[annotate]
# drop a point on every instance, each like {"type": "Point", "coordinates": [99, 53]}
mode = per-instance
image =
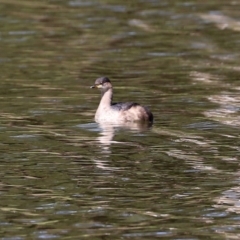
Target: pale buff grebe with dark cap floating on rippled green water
{"type": "Point", "coordinates": [118, 112]}
